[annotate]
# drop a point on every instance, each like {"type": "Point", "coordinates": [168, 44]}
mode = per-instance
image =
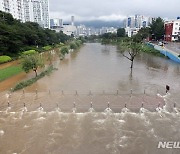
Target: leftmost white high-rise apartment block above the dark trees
{"type": "Point", "coordinates": [14, 7]}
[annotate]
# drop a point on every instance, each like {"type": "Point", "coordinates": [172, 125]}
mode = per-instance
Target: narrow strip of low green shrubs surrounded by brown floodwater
{"type": "Point", "coordinates": [29, 82]}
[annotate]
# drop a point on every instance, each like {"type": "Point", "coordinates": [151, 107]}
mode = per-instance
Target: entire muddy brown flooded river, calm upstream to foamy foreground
{"type": "Point", "coordinates": [131, 123]}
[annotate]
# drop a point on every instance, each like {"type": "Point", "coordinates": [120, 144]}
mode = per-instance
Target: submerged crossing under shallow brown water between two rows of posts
{"type": "Point", "coordinates": [82, 102]}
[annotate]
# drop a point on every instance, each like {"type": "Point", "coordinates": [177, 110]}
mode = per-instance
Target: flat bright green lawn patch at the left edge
{"type": "Point", "coordinates": [9, 72]}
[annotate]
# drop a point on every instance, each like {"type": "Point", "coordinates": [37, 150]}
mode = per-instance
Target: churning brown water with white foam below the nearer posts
{"type": "Point", "coordinates": [87, 133]}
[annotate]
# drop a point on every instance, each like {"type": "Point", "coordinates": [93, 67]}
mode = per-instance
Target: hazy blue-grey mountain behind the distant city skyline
{"type": "Point", "coordinates": [99, 23]}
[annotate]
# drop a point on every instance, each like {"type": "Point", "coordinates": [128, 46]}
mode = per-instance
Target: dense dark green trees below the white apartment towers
{"type": "Point", "coordinates": [16, 36]}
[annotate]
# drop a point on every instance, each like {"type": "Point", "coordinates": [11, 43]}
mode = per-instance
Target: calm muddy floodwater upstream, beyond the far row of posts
{"type": "Point", "coordinates": [98, 67]}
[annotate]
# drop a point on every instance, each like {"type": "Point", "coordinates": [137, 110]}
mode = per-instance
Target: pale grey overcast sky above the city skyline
{"type": "Point", "coordinates": [85, 10]}
